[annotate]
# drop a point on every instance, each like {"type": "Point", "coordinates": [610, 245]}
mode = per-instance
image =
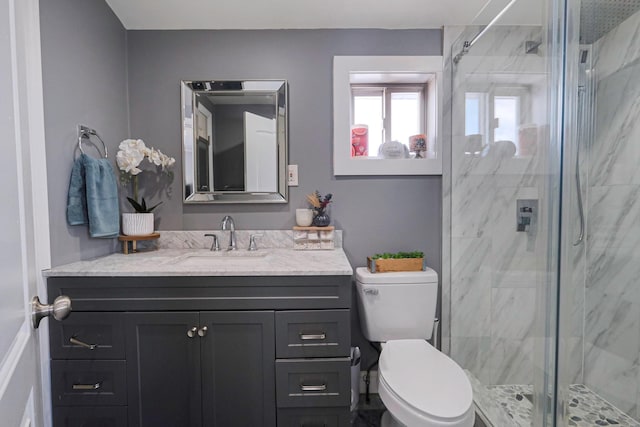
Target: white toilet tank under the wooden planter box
{"type": "Point", "coordinates": [398, 305]}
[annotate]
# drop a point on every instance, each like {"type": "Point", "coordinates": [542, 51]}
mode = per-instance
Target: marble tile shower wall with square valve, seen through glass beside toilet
{"type": "Point", "coordinates": [494, 269]}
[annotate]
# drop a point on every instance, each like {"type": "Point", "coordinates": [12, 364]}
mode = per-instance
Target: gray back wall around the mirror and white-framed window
{"type": "Point", "coordinates": [376, 213]}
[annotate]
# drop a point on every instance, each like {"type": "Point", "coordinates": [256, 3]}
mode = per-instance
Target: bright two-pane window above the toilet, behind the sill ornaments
{"type": "Point", "coordinates": [390, 112]}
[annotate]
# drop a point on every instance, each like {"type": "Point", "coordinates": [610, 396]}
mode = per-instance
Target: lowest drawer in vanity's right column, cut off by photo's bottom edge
{"type": "Point", "coordinates": [314, 417]}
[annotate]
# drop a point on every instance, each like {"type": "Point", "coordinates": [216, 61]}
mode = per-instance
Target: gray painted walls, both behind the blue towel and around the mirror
{"type": "Point", "coordinates": [87, 55]}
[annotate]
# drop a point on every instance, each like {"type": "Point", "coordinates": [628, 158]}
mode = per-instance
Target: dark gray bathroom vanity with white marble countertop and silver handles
{"type": "Point", "coordinates": [169, 338]}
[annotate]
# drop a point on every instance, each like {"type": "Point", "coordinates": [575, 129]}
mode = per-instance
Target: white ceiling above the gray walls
{"type": "Point", "coordinates": [293, 14]}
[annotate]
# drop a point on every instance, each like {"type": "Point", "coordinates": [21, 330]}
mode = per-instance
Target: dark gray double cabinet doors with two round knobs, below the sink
{"type": "Point", "coordinates": [200, 369]}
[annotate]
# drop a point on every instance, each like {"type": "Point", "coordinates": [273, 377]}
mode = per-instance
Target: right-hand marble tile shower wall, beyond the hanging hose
{"type": "Point", "coordinates": [612, 296]}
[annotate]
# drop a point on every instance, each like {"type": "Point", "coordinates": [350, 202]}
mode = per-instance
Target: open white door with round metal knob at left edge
{"type": "Point", "coordinates": [24, 237]}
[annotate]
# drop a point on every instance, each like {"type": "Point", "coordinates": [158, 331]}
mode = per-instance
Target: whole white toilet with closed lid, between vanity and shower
{"type": "Point", "coordinates": [419, 385]}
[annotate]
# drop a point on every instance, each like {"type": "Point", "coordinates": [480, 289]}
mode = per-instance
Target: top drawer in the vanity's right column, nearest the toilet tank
{"type": "Point", "coordinates": [313, 333]}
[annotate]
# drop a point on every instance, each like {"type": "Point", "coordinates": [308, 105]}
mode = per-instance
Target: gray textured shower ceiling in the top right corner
{"type": "Point", "coordinates": [598, 17]}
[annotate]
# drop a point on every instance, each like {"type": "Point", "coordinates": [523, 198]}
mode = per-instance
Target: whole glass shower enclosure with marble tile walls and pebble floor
{"type": "Point", "coordinates": [541, 247]}
